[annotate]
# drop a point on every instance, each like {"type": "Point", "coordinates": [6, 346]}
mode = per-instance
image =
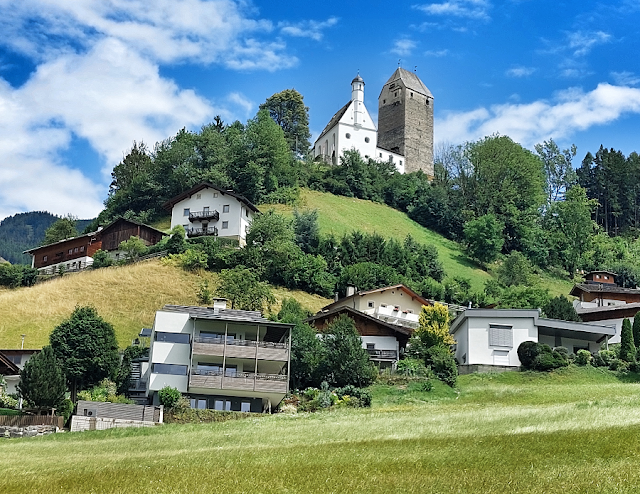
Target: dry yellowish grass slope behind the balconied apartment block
{"type": "Point", "coordinates": [126, 296]}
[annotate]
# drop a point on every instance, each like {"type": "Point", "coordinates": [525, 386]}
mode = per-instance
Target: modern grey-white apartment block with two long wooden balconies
{"type": "Point", "coordinates": [220, 358]}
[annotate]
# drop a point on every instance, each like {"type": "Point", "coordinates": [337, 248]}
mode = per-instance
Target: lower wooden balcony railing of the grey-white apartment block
{"type": "Point", "coordinates": [241, 381]}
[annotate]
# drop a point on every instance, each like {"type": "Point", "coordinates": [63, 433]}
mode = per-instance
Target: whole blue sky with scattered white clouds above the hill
{"type": "Point", "coordinates": [80, 80]}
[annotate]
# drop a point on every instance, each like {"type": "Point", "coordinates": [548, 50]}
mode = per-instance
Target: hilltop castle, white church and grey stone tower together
{"type": "Point", "coordinates": [405, 125]}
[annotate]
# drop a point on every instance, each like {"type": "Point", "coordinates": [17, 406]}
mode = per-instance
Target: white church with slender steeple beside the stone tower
{"type": "Point", "coordinates": [353, 128]}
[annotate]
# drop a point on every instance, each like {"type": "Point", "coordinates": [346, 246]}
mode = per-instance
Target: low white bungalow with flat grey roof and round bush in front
{"type": "Point", "coordinates": [488, 339]}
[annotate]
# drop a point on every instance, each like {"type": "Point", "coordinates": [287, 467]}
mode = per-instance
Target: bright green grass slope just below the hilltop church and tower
{"type": "Point", "coordinates": [339, 215]}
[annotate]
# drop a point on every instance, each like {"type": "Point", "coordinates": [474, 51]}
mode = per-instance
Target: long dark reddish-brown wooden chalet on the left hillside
{"type": "Point", "coordinates": [76, 253]}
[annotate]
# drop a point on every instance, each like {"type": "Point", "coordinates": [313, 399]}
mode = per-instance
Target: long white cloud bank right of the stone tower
{"type": "Point", "coordinates": [571, 111]}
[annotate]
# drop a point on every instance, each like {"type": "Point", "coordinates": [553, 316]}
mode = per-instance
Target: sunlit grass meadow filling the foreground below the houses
{"type": "Point", "coordinates": [572, 431]}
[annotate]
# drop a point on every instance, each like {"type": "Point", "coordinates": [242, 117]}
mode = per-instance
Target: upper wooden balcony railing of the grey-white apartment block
{"type": "Point", "coordinates": [262, 350]}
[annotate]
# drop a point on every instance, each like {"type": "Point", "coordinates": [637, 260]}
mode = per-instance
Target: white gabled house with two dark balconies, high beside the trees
{"type": "Point", "coordinates": [209, 210]}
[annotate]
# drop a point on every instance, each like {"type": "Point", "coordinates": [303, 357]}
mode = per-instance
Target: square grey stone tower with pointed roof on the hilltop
{"type": "Point", "coordinates": [405, 120]}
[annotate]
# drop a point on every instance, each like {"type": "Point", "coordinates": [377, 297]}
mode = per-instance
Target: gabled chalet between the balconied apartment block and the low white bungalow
{"type": "Point", "coordinates": [385, 319]}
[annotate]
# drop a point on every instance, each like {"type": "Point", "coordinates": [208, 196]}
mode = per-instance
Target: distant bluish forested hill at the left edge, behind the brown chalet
{"type": "Point", "coordinates": [23, 231]}
